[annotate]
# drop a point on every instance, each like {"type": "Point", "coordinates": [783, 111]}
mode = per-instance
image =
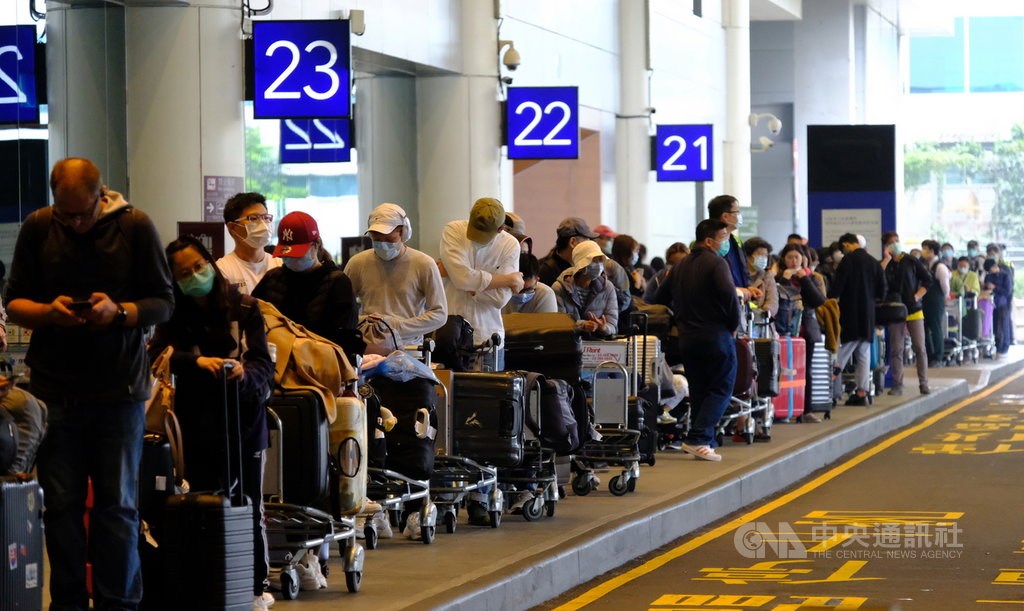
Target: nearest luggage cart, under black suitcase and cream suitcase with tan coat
{"type": "Point", "coordinates": [293, 531]}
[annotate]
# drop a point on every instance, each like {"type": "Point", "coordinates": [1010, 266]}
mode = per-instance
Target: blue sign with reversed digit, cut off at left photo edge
{"type": "Point", "coordinates": [18, 75]}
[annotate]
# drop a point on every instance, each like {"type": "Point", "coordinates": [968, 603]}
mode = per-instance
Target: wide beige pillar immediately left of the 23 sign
{"type": "Point", "coordinates": [185, 90]}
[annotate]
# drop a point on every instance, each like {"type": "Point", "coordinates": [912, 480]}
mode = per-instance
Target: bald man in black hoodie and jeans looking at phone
{"type": "Point", "coordinates": [89, 277]}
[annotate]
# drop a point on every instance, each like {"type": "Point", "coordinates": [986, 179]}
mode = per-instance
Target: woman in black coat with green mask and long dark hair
{"type": "Point", "coordinates": [217, 330]}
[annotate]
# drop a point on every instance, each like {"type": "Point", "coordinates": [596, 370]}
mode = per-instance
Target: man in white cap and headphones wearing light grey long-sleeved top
{"type": "Point", "coordinates": [397, 283]}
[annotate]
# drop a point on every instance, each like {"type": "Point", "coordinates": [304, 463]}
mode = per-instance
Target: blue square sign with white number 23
{"type": "Point", "coordinates": [302, 69]}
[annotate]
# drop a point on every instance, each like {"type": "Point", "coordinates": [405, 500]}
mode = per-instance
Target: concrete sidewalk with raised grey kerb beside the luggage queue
{"type": "Point", "coordinates": [523, 564]}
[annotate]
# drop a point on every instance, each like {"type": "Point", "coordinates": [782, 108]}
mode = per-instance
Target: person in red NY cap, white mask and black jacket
{"type": "Point", "coordinates": [309, 289]}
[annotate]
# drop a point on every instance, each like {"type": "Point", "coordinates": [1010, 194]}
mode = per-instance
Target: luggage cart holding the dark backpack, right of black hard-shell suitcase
{"type": "Point", "coordinates": [536, 475]}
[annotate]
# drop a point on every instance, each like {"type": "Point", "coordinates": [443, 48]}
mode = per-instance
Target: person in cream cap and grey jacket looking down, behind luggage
{"type": "Point", "coordinates": [585, 294]}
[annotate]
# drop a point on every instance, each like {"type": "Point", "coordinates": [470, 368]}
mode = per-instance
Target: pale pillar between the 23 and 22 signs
{"type": "Point", "coordinates": [459, 148]}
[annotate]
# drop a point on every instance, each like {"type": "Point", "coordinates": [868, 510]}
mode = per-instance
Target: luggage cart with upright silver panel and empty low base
{"type": "Point", "coordinates": [618, 445]}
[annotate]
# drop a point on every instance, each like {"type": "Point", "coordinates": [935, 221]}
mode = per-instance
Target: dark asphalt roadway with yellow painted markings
{"type": "Point", "coordinates": [930, 517]}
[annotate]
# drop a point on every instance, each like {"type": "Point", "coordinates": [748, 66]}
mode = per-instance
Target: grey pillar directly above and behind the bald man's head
{"type": "Point", "coordinates": [86, 58]}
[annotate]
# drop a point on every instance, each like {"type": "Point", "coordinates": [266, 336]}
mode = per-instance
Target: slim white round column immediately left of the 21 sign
{"type": "Point", "coordinates": [632, 132]}
